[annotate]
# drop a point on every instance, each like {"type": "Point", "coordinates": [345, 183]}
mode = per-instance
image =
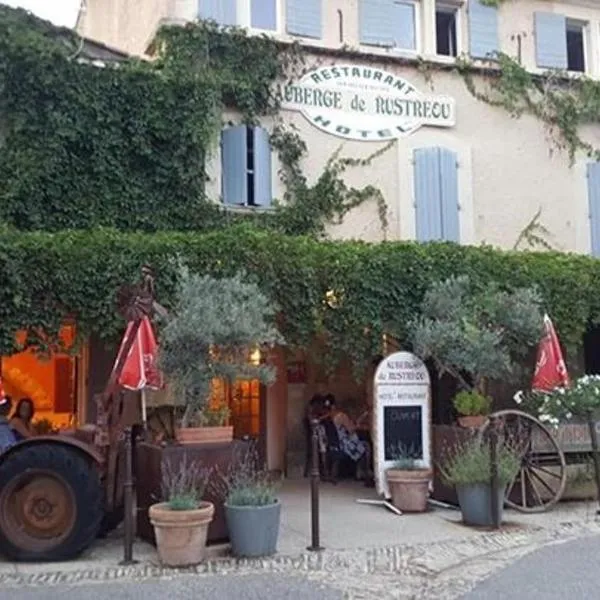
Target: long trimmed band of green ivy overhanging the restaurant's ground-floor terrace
{"type": "Point", "coordinates": [48, 278]}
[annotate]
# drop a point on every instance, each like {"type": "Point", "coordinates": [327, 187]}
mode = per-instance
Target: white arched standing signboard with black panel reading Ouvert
{"type": "Point", "coordinates": [402, 414]}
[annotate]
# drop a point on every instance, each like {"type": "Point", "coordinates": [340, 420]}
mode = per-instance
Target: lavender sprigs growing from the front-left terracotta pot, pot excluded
{"type": "Point", "coordinates": [183, 484]}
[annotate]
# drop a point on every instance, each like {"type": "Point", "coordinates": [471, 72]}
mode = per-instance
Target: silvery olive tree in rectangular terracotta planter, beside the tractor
{"type": "Point", "coordinates": [214, 327]}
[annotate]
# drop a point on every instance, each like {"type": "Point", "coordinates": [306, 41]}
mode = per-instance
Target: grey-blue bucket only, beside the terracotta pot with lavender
{"type": "Point", "coordinates": [253, 530]}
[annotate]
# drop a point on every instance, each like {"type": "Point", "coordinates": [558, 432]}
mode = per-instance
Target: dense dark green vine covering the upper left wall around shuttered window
{"type": "Point", "coordinates": [126, 145]}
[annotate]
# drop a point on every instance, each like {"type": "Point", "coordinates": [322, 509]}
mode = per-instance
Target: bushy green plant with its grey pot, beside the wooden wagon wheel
{"type": "Point", "coordinates": [467, 467]}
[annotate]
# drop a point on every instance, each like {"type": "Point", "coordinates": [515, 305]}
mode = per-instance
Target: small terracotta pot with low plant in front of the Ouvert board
{"type": "Point", "coordinates": [408, 483]}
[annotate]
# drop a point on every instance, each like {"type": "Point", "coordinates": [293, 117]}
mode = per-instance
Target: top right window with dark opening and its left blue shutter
{"type": "Point", "coordinates": [559, 42]}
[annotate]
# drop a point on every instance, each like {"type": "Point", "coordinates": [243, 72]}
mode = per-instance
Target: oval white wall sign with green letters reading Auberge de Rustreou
{"type": "Point", "coordinates": [363, 103]}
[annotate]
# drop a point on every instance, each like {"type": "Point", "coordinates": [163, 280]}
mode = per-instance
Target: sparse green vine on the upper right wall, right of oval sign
{"type": "Point", "coordinates": [564, 104]}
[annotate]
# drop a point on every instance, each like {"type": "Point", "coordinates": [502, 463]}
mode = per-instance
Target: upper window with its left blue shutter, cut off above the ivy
{"type": "Point", "coordinates": [257, 14]}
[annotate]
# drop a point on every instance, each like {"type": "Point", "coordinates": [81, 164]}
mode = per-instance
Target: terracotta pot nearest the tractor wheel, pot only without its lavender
{"type": "Point", "coordinates": [181, 534]}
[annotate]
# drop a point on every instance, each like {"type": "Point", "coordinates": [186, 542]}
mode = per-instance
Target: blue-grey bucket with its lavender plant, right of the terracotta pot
{"type": "Point", "coordinates": [252, 508]}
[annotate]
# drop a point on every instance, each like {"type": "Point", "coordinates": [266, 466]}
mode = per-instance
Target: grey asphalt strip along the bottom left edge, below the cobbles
{"type": "Point", "coordinates": [235, 587]}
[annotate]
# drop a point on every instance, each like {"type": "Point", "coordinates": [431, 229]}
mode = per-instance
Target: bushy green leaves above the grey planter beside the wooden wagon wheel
{"type": "Point", "coordinates": [469, 463]}
